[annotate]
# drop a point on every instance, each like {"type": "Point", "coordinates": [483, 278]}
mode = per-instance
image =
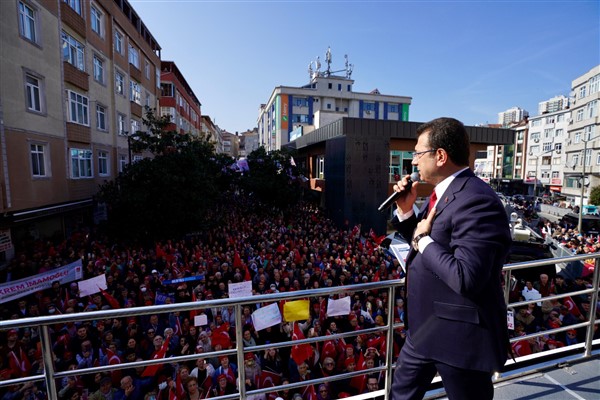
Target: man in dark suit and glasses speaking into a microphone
{"type": "Point", "coordinates": [456, 313]}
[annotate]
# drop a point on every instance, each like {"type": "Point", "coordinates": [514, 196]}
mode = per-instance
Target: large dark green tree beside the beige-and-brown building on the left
{"type": "Point", "coordinates": [166, 196]}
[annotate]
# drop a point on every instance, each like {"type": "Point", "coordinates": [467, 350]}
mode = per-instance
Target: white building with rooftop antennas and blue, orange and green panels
{"type": "Point", "coordinates": [292, 112]}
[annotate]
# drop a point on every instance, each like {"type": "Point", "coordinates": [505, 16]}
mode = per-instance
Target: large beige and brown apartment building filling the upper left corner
{"type": "Point", "coordinates": [75, 77]}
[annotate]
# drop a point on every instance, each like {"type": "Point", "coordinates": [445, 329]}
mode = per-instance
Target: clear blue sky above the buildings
{"type": "Point", "coordinates": [464, 59]}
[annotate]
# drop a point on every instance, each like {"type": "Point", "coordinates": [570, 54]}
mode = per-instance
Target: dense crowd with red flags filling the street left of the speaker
{"type": "Point", "coordinates": [279, 252]}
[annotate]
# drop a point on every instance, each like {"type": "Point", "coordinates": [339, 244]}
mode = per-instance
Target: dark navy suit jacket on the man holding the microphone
{"type": "Point", "coordinates": [456, 311]}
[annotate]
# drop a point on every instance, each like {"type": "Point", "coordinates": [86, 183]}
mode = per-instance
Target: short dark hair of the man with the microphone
{"type": "Point", "coordinates": [451, 135]}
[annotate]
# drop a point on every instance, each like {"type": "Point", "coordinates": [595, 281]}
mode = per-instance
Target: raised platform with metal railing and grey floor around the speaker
{"type": "Point", "coordinates": [565, 372]}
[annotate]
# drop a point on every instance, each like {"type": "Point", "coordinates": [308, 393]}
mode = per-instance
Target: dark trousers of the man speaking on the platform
{"type": "Point", "coordinates": [414, 373]}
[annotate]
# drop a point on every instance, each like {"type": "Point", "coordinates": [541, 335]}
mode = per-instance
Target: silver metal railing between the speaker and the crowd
{"type": "Point", "coordinates": [51, 375]}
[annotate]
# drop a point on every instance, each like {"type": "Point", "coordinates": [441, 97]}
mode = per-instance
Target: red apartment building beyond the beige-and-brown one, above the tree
{"type": "Point", "coordinates": [177, 99]}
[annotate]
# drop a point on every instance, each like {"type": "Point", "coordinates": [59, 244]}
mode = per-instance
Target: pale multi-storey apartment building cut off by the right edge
{"type": "Point", "coordinates": [582, 144]}
